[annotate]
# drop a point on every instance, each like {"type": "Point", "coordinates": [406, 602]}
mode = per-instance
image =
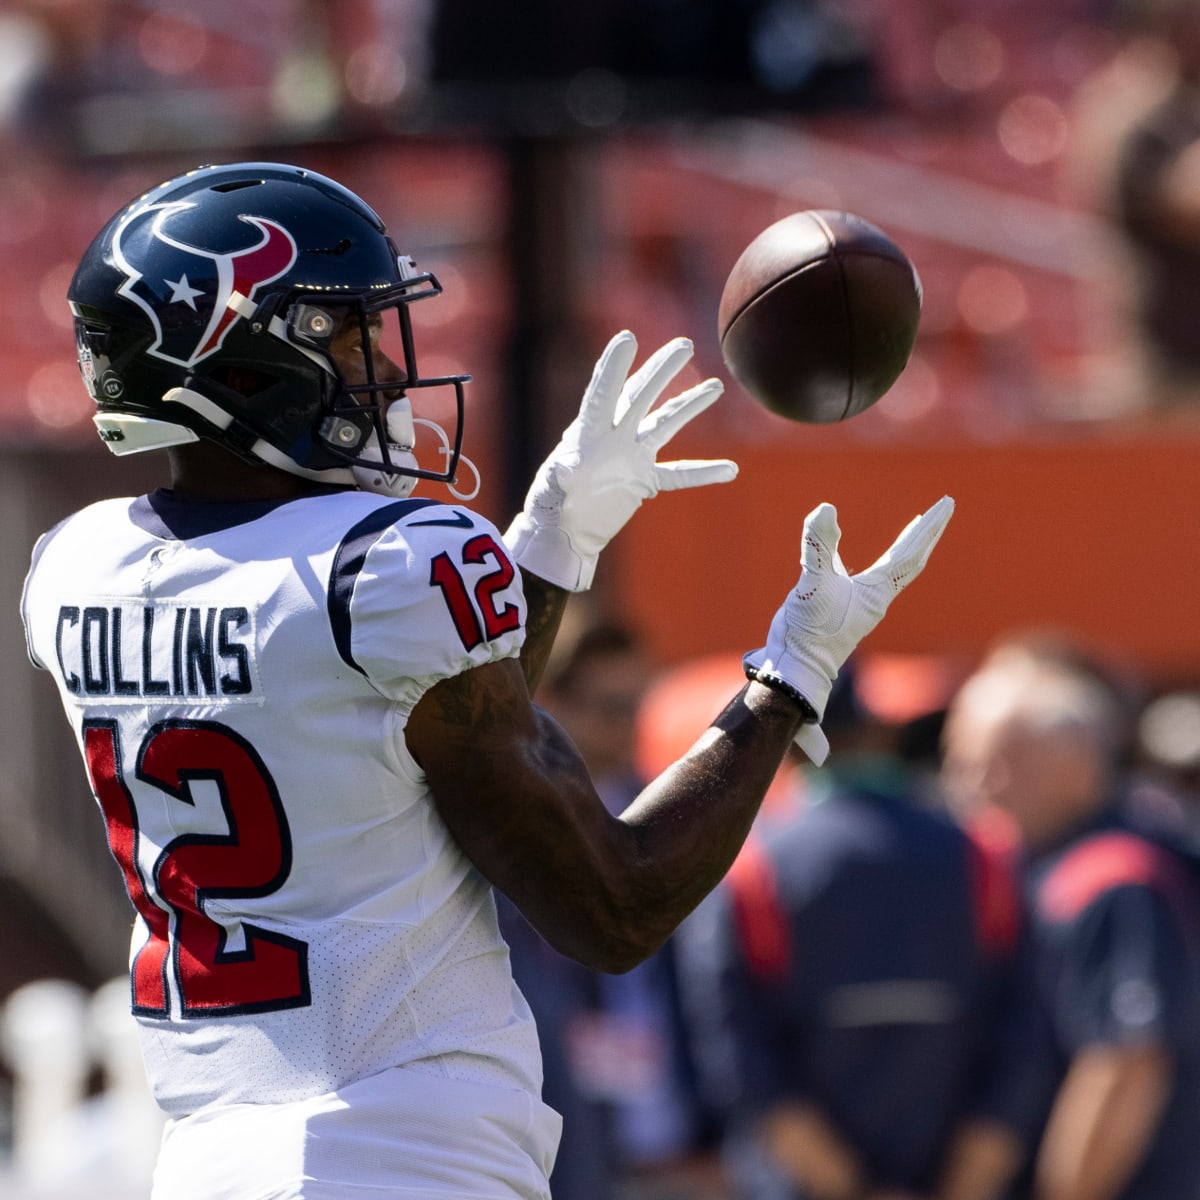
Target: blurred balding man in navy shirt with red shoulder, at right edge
{"type": "Point", "coordinates": [1037, 739]}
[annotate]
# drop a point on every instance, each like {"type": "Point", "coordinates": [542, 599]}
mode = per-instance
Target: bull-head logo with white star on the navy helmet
{"type": "Point", "coordinates": [227, 277]}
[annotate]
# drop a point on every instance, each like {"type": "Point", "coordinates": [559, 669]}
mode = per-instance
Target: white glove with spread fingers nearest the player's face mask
{"type": "Point", "coordinates": [605, 465]}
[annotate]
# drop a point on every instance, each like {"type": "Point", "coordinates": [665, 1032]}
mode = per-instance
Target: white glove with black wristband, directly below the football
{"type": "Point", "coordinates": [830, 613]}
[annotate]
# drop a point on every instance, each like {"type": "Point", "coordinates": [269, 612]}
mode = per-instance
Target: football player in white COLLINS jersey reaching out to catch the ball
{"type": "Point", "coordinates": [303, 700]}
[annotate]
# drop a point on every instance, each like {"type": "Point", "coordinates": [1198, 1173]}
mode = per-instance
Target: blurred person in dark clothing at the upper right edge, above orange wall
{"type": "Point", "coordinates": [1135, 159]}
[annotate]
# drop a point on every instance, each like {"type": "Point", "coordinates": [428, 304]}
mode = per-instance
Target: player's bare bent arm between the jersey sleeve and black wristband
{"type": "Point", "coordinates": [517, 796]}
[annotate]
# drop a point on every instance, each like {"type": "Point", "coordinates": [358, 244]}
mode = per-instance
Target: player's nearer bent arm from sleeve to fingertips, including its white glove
{"type": "Point", "coordinates": [609, 891]}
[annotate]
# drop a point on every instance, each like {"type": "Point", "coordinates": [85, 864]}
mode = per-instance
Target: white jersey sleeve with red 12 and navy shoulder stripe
{"type": "Point", "coordinates": [423, 597]}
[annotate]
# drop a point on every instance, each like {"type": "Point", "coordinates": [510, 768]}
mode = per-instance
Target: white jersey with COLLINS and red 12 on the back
{"type": "Point", "coordinates": [239, 679]}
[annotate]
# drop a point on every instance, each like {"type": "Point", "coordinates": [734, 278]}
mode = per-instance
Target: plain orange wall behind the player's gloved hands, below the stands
{"type": "Point", "coordinates": [1096, 531]}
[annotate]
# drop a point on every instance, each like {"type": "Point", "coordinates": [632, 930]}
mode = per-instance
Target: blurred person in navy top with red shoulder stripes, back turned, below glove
{"type": "Point", "coordinates": [849, 976]}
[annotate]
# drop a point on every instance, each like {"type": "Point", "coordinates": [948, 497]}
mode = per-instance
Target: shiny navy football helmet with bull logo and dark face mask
{"type": "Point", "coordinates": [206, 309]}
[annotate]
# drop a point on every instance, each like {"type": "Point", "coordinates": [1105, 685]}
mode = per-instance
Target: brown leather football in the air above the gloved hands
{"type": "Point", "coordinates": [819, 316]}
